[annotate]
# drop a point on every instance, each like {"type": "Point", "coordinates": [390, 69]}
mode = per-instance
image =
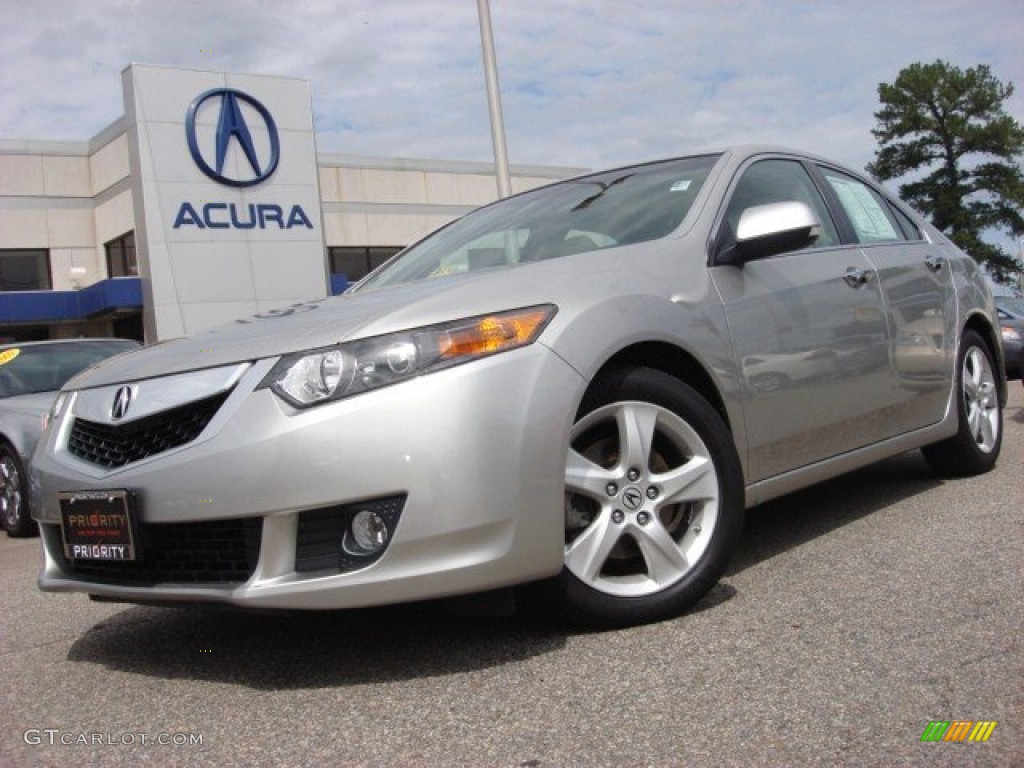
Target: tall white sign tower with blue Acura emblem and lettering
{"type": "Point", "coordinates": [228, 220]}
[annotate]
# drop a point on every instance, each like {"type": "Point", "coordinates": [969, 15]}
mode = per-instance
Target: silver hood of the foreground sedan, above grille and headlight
{"type": "Point", "coordinates": [324, 323]}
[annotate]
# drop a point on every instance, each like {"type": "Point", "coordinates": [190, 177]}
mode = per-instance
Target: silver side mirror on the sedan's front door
{"type": "Point", "coordinates": [771, 230]}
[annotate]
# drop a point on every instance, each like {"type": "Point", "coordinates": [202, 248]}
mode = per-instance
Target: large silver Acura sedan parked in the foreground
{"type": "Point", "coordinates": [582, 388]}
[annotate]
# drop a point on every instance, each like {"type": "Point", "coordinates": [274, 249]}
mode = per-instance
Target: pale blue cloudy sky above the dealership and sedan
{"type": "Point", "coordinates": [584, 83]}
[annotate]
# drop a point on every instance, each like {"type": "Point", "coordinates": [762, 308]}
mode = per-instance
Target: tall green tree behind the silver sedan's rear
{"type": "Point", "coordinates": [948, 129]}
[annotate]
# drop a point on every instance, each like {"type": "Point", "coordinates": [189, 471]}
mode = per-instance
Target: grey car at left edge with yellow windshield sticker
{"type": "Point", "coordinates": [31, 376]}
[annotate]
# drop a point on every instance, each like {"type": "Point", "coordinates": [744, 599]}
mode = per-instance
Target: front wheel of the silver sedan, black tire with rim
{"type": "Point", "coordinates": [621, 569]}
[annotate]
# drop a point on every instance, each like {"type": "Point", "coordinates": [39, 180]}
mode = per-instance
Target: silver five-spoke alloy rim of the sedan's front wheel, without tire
{"type": "Point", "coordinates": [642, 499]}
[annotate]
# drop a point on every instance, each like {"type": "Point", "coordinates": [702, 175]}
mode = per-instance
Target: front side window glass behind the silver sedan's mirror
{"type": "Point", "coordinates": [778, 182]}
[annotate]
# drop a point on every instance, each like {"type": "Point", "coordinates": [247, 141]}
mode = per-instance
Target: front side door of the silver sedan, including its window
{"type": "Point", "coordinates": [809, 332]}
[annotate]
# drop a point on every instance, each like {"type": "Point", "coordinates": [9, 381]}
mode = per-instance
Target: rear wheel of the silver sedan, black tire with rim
{"type": "Point", "coordinates": [975, 448]}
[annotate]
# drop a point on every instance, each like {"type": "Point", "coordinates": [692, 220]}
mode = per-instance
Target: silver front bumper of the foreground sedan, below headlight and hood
{"type": "Point", "coordinates": [474, 457]}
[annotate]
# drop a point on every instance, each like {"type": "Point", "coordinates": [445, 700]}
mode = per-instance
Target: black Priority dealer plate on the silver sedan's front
{"type": "Point", "coordinates": [98, 526]}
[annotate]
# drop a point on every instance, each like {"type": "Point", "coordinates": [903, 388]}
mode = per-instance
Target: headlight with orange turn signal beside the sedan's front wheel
{"type": "Point", "coordinates": [322, 375]}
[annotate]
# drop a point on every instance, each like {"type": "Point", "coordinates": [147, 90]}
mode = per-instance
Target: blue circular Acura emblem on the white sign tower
{"type": "Point", "coordinates": [232, 127]}
